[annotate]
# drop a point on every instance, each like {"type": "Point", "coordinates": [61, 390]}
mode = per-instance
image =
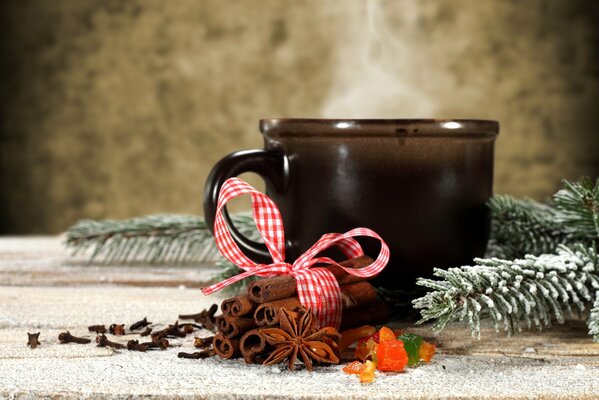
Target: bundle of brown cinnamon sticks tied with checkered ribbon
{"type": "Point", "coordinates": [243, 317]}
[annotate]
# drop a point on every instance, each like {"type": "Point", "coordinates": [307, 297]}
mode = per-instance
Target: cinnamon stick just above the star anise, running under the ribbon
{"type": "Point", "coordinates": [353, 295]}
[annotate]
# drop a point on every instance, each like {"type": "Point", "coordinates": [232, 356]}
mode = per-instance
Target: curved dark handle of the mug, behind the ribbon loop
{"type": "Point", "coordinates": [270, 165]}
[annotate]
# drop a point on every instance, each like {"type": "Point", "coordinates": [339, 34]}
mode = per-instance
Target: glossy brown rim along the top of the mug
{"type": "Point", "coordinates": [479, 128]}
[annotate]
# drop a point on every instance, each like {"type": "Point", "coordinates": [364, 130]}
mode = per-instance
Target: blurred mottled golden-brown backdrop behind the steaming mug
{"type": "Point", "coordinates": [115, 109]}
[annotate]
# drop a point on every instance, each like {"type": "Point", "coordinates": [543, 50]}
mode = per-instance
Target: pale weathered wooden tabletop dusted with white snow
{"type": "Point", "coordinates": [43, 289]}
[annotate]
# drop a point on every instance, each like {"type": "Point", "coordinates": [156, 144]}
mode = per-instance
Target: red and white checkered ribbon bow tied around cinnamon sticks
{"type": "Point", "coordinates": [317, 288]}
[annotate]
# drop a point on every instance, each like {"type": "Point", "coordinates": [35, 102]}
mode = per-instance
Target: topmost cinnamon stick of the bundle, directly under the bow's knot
{"type": "Point", "coordinates": [281, 287]}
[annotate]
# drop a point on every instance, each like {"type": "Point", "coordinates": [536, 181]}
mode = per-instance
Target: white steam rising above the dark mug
{"type": "Point", "coordinates": [377, 74]}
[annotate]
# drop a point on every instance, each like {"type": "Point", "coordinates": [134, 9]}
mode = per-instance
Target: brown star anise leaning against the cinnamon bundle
{"type": "Point", "coordinates": [298, 335]}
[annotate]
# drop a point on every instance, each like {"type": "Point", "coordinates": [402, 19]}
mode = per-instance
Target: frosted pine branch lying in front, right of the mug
{"type": "Point", "coordinates": [534, 290]}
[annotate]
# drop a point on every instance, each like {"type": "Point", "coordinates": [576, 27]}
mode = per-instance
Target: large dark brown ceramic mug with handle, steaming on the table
{"type": "Point", "coordinates": [420, 184]}
